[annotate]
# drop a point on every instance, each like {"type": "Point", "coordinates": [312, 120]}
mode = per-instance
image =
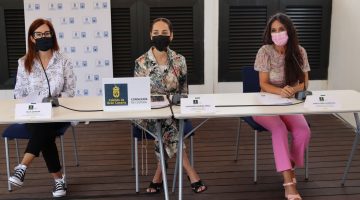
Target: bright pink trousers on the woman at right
{"type": "Point", "coordinates": [279, 126]}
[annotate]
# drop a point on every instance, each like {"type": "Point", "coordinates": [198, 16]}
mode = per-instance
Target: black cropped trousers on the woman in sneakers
{"type": "Point", "coordinates": [42, 140]}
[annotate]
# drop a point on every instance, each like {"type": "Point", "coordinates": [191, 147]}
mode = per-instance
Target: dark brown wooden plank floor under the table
{"type": "Point", "coordinates": [105, 164]}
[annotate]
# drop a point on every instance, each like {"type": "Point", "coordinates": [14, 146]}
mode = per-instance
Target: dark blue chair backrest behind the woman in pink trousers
{"type": "Point", "coordinates": [250, 79]}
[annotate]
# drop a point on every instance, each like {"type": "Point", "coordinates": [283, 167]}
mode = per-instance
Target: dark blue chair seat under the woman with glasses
{"type": "Point", "coordinates": [19, 131]}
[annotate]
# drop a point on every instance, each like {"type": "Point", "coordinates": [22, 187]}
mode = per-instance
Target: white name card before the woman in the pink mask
{"type": "Point", "coordinates": [316, 102]}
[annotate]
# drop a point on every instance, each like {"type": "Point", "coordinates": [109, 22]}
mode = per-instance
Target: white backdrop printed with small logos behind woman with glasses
{"type": "Point", "coordinates": [83, 30]}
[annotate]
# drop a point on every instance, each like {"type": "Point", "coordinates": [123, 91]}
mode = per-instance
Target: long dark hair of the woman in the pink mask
{"type": "Point", "coordinates": [293, 57]}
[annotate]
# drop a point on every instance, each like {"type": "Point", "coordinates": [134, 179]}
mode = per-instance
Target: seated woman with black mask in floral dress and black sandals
{"type": "Point", "coordinates": [167, 72]}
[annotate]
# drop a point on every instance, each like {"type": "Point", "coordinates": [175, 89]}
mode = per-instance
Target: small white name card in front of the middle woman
{"type": "Point", "coordinates": [197, 104]}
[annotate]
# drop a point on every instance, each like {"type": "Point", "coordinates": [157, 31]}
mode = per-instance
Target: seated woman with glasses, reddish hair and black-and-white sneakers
{"type": "Point", "coordinates": [43, 58]}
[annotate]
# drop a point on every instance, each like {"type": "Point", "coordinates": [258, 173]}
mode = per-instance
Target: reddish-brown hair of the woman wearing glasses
{"type": "Point", "coordinates": [31, 53]}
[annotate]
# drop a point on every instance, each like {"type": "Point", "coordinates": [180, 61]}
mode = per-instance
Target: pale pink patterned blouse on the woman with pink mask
{"type": "Point", "coordinates": [269, 60]}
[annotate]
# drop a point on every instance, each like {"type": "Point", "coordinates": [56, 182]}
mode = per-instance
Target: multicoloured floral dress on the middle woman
{"type": "Point", "coordinates": [164, 79]}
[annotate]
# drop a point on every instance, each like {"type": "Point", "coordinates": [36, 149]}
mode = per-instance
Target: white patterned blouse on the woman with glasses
{"type": "Point", "coordinates": [59, 72]}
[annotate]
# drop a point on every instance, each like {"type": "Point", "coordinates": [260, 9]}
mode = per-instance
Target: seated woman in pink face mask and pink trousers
{"type": "Point", "coordinates": [283, 69]}
